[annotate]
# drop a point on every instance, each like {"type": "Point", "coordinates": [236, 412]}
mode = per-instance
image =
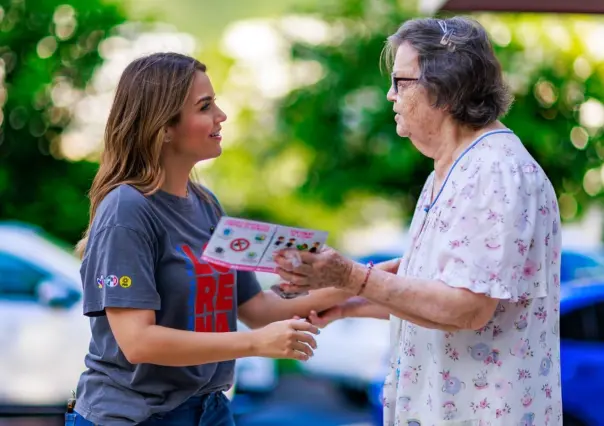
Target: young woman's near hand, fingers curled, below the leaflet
{"type": "Point", "coordinates": [286, 339]}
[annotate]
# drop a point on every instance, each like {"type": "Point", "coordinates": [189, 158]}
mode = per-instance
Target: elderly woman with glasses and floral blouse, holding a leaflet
{"type": "Point", "coordinates": [474, 302]}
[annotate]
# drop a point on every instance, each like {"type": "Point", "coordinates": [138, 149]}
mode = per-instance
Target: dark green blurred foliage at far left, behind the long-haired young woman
{"type": "Point", "coordinates": [48, 50]}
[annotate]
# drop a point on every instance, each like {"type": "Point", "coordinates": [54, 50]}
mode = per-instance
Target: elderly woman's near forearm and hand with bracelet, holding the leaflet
{"type": "Point", "coordinates": [428, 303]}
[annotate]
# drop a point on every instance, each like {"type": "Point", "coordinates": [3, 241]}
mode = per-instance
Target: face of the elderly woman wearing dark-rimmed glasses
{"type": "Point", "coordinates": [415, 117]}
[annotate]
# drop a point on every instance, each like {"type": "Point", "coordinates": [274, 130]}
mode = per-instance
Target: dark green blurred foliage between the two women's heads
{"type": "Point", "coordinates": [345, 118]}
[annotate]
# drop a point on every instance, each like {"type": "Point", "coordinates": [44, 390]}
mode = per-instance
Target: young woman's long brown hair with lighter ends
{"type": "Point", "coordinates": [149, 97]}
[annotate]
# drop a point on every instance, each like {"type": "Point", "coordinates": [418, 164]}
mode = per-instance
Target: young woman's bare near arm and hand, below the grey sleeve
{"type": "Point", "coordinates": [142, 341]}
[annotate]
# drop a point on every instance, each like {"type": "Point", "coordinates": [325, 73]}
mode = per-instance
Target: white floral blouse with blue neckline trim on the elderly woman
{"type": "Point", "coordinates": [494, 228]}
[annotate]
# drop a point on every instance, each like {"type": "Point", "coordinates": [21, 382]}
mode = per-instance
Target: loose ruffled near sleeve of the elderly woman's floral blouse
{"type": "Point", "coordinates": [498, 235]}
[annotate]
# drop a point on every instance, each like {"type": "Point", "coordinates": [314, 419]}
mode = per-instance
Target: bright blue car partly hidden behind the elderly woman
{"type": "Point", "coordinates": [582, 355]}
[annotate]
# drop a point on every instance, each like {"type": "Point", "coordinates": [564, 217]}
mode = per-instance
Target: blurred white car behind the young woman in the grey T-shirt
{"type": "Point", "coordinates": [44, 335]}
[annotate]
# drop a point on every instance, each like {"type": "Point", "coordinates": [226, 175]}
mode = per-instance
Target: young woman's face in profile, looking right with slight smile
{"type": "Point", "coordinates": [197, 134]}
